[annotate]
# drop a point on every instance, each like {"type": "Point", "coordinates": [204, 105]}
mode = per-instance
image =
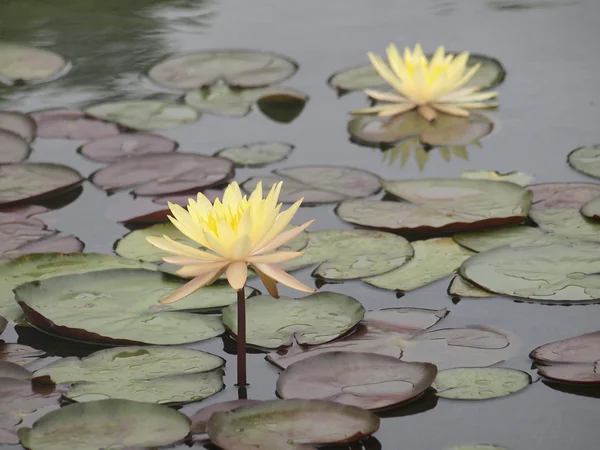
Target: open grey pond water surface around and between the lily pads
{"type": "Point", "coordinates": [549, 105]}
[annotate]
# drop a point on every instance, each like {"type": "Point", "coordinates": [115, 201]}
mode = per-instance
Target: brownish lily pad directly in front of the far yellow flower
{"type": "Point", "coordinates": [446, 130]}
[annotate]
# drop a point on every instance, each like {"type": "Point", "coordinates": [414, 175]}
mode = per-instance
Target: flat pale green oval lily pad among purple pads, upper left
{"type": "Point", "coordinates": [145, 115]}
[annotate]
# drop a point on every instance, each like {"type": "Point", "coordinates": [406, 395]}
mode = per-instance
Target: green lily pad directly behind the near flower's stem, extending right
{"type": "Point", "coordinates": [311, 320]}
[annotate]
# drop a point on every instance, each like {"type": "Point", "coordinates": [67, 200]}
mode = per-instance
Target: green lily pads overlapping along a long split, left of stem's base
{"type": "Point", "coordinates": [164, 375]}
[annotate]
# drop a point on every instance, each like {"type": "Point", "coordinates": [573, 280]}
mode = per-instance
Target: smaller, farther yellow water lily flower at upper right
{"type": "Point", "coordinates": [427, 85]}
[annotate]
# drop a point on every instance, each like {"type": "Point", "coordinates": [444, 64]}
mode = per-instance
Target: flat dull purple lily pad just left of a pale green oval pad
{"type": "Point", "coordinates": [69, 124]}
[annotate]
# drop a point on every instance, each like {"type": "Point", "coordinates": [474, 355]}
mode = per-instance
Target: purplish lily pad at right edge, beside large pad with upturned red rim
{"type": "Point", "coordinates": [562, 195]}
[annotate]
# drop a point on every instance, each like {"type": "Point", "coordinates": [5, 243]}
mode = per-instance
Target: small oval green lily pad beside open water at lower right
{"type": "Point", "coordinates": [479, 383]}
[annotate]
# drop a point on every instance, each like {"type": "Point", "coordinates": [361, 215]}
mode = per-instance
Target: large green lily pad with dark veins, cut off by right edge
{"type": "Point", "coordinates": [557, 272]}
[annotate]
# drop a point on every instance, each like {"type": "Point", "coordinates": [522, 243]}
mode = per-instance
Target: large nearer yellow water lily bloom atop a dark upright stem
{"type": "Point", "coordinates": [237, 232]}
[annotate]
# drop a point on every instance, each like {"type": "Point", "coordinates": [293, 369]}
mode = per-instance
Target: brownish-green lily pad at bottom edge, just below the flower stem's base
{"type": "Point", "coordinates": [293, 424]}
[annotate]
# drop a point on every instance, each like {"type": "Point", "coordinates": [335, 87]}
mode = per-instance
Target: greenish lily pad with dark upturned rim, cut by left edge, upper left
{"type": "Point", "coordinates": [31, 181]}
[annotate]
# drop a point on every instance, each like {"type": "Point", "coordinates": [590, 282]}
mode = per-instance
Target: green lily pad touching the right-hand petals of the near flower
{"type": "Point", "coordinates": [351, 254]}
